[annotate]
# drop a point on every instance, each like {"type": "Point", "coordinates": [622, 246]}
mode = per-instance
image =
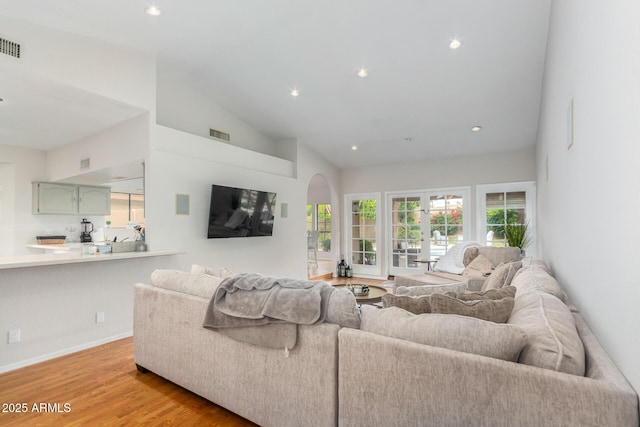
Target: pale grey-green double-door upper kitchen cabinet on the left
{"type": "Point", "coordinates": [70, 199]}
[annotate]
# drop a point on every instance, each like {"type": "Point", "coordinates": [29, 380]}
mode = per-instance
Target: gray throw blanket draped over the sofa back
{"type": "Point", "coordinates": [252, 300]}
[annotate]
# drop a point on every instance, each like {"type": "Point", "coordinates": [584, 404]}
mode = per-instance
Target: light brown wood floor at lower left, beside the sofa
{"type": "Point", "coordinates": [102, 387]}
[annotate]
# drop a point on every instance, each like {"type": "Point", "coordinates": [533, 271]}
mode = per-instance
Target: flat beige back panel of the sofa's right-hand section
{"type": "Point", "coordinates": [411, 384]}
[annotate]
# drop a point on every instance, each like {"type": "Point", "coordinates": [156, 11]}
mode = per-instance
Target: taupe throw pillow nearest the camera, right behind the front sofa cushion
{"type": "Point", "coordinates": [497, 311]}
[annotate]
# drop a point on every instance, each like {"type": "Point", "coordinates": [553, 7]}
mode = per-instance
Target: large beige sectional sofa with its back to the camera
{"type": "Point", "coordinates": [542, 367]}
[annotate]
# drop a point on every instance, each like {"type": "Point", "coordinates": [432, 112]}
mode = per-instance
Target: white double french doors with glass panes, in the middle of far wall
{"type": "Point", "coordinates": [423, 226]}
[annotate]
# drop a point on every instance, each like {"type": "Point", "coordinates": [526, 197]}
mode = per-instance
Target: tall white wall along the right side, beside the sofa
{"type": "Point", "coordinates": [587, 207]}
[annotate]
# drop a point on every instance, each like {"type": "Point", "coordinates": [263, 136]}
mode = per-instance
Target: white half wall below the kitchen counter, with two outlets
{"type": "Point", "coordinates": [55, 306]}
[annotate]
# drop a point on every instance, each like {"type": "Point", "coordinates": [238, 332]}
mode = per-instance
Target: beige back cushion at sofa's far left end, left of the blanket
{"type": "Point", "coordinates": [202, 285]}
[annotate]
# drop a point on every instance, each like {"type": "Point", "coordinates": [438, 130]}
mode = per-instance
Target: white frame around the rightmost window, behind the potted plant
{"type": "Point", "coordinates": [529, 187]}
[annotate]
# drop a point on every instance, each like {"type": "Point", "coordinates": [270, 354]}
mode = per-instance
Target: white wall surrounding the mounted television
{"type": "Point", "coordinates": [188, 164]}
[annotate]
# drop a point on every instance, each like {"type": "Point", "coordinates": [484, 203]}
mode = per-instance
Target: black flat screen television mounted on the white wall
{"type": "Point", "coordinates": [240, 212]}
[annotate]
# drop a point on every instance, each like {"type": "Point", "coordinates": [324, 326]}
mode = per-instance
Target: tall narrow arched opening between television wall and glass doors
{"type": "Point", "coordinates": [320, 248]}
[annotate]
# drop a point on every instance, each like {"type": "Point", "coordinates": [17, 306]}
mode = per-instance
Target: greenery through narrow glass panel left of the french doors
{"type": "Point", "coordinates": [363, 232]}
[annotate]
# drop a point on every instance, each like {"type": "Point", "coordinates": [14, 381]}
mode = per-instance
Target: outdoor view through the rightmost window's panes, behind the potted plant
{"type": "Point", "coordinates": [504, 208]}
